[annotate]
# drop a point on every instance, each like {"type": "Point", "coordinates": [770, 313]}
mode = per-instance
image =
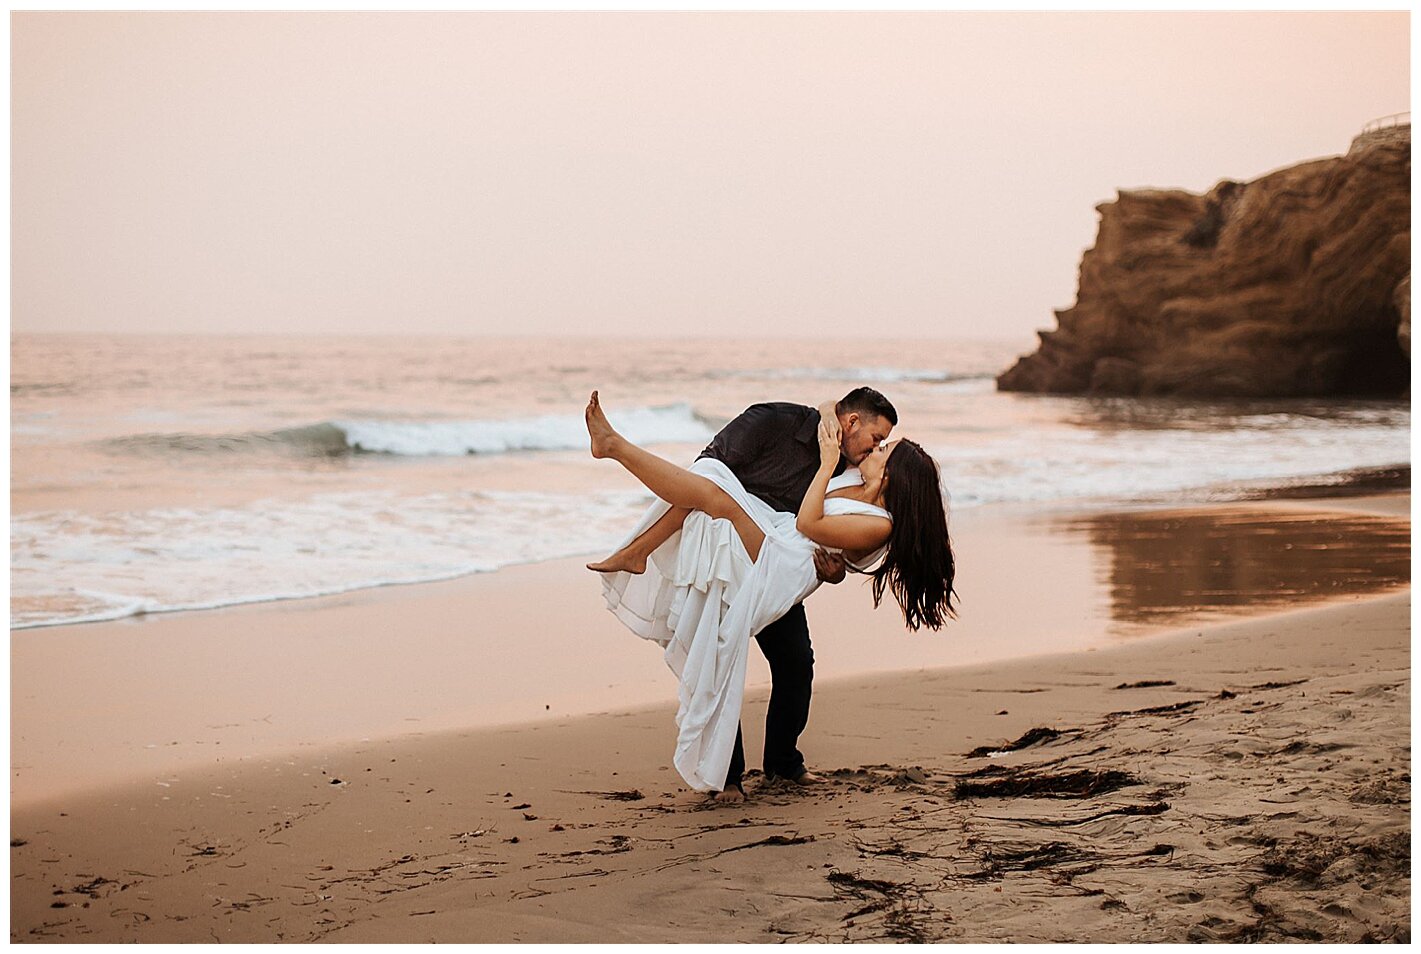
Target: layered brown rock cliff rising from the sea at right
{"type": "Point", "coordinates": [1285, 286]}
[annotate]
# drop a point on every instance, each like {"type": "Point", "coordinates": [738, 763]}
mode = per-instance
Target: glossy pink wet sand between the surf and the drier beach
{"type": "Point", "coordinates": [63, 719]}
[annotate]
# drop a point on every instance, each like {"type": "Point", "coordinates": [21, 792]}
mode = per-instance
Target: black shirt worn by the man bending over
{"type": "Point", "coordinates": [774, 450]}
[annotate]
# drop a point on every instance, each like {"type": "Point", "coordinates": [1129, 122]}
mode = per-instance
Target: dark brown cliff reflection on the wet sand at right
{"type": "Point", "coordinates": [1166, 568]}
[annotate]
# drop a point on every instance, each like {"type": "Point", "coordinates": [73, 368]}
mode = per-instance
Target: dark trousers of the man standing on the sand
{"type": "Point", "coordinates": [787, 648]}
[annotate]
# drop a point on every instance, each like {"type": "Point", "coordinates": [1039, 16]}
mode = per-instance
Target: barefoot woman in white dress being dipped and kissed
{"type": "Point", "coordinates": [737, 565]}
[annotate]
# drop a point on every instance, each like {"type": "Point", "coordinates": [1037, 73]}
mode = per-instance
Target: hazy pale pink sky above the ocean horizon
{"type": "Point", "coordinates": [831, 174]}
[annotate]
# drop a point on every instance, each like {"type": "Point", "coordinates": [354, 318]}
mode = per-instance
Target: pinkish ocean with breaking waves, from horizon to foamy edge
{"type": "Point", "coordinates": [180, 473]}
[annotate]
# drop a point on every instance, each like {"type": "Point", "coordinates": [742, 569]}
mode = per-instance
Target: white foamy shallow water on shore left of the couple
{"type": "Point", "coordinates": [82, 568]}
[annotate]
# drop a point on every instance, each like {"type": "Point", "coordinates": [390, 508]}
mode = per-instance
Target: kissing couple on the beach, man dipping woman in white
{"type": "Point", "coordinates": [784, 498]}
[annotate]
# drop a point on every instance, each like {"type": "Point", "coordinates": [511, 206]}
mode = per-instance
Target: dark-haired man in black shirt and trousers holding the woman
{"type": "Point", "coordinates": [774, 450]}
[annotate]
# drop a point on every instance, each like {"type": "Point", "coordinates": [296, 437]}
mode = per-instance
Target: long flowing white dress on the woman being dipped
{"type": "Point", "coordinates": [703, 599]}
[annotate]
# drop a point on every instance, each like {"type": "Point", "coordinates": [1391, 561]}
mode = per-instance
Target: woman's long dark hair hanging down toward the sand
{"type": "Point", "coordinates": [919, 568]}
